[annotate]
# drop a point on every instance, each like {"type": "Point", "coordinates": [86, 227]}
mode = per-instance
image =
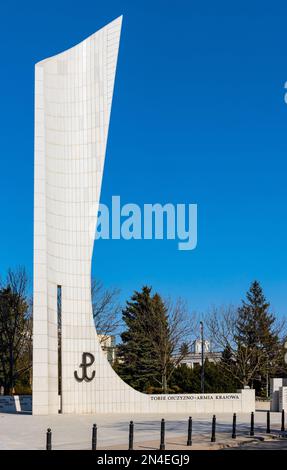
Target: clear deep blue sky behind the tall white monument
{"type": "Point", "coordinates": [198, 117]}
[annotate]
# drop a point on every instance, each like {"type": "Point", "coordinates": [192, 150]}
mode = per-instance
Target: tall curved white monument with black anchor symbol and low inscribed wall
{"type": "Point", "coordinates": [73, 96]}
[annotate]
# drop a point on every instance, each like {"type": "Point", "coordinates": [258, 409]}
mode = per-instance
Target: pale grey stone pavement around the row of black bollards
{"type": "Point", "coordinates": [23, 431]}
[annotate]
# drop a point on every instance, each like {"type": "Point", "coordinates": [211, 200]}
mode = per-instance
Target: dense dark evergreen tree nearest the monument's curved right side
{"type": "Point", "coordinates": [144, 354]}
